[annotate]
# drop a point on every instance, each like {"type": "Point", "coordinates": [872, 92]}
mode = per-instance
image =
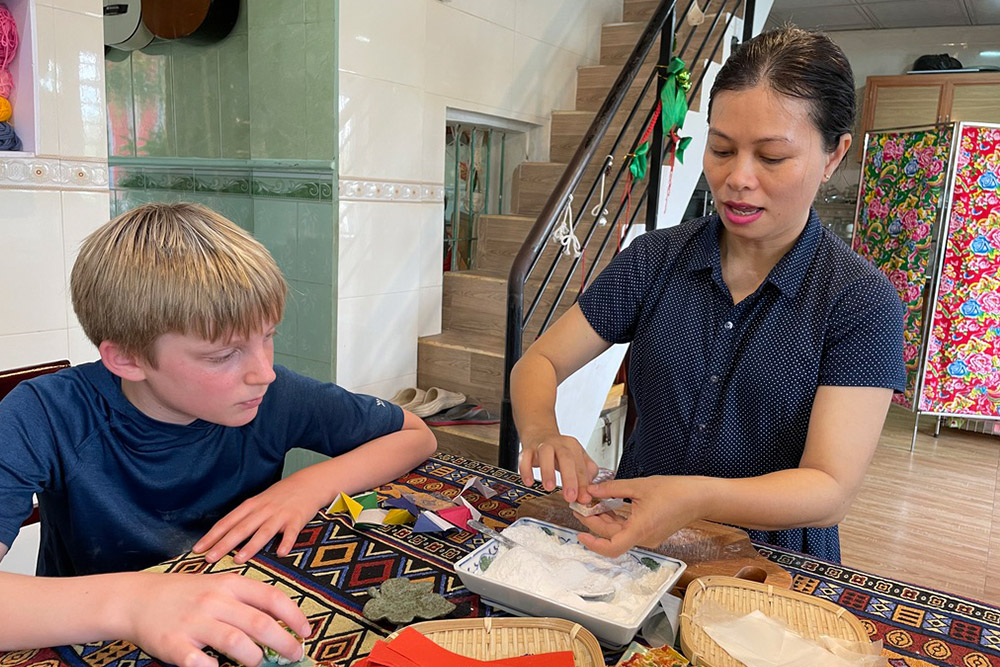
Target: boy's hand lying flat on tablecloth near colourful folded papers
{"type": "Point", "coordinates": [285, 507]}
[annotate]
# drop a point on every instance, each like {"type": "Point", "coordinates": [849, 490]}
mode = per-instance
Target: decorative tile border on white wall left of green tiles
{"type": "Point", "coordinates": [53, 173]}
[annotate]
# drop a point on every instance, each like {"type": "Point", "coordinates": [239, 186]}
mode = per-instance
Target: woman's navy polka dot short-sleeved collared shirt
{"type": "Point", "coordinates": [726, 390]}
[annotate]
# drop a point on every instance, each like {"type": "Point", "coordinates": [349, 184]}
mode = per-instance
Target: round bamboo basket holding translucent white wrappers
{"type": "Point", "coordinates": [808, 616]}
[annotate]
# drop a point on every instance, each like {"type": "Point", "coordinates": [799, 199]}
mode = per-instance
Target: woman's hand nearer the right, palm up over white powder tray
{"type": "Point", "coordinates": [661, 506]}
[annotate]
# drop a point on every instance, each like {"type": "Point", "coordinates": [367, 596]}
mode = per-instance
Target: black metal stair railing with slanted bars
{"type": "Point", "coordinates": [661, 24]}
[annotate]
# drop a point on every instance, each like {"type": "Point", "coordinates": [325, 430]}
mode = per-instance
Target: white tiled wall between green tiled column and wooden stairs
{"type": "Point", "coordinates": [402, 63]}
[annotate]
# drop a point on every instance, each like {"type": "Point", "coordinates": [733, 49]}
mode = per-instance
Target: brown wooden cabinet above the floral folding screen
{"type": "Point", "coordinates": [924, 99]}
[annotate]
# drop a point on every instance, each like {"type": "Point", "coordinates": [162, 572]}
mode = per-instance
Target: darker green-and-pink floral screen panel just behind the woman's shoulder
{"type": "Point", "coordinates": [902, 184]}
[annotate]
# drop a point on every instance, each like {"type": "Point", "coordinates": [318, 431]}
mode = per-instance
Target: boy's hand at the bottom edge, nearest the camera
{"type": "Point", "coordinates": [177, 615]}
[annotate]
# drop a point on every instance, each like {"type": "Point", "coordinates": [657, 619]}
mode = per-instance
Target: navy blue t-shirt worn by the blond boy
{"type": "Point", "coordinates": [121, 491]}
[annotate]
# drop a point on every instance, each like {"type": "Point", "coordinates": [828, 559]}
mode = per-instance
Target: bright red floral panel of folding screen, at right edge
{"type": "Point", "coordinates": [962, 371]}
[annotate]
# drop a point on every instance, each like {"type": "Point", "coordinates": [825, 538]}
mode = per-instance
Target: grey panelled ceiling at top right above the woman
{"type": "Point", "coordinates": [830, 15]}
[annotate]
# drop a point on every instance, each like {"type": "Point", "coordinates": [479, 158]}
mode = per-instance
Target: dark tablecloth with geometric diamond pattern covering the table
{"type": "Point", "coordinates": [333, 564]}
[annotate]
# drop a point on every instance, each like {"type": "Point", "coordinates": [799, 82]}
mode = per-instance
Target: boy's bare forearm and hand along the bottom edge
{"type": "Point", "coordinates": [170, 616]}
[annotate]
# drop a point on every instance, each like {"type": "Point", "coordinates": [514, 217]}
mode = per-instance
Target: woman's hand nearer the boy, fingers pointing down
{"type": "Point", "coordinates": [563, 453]}
